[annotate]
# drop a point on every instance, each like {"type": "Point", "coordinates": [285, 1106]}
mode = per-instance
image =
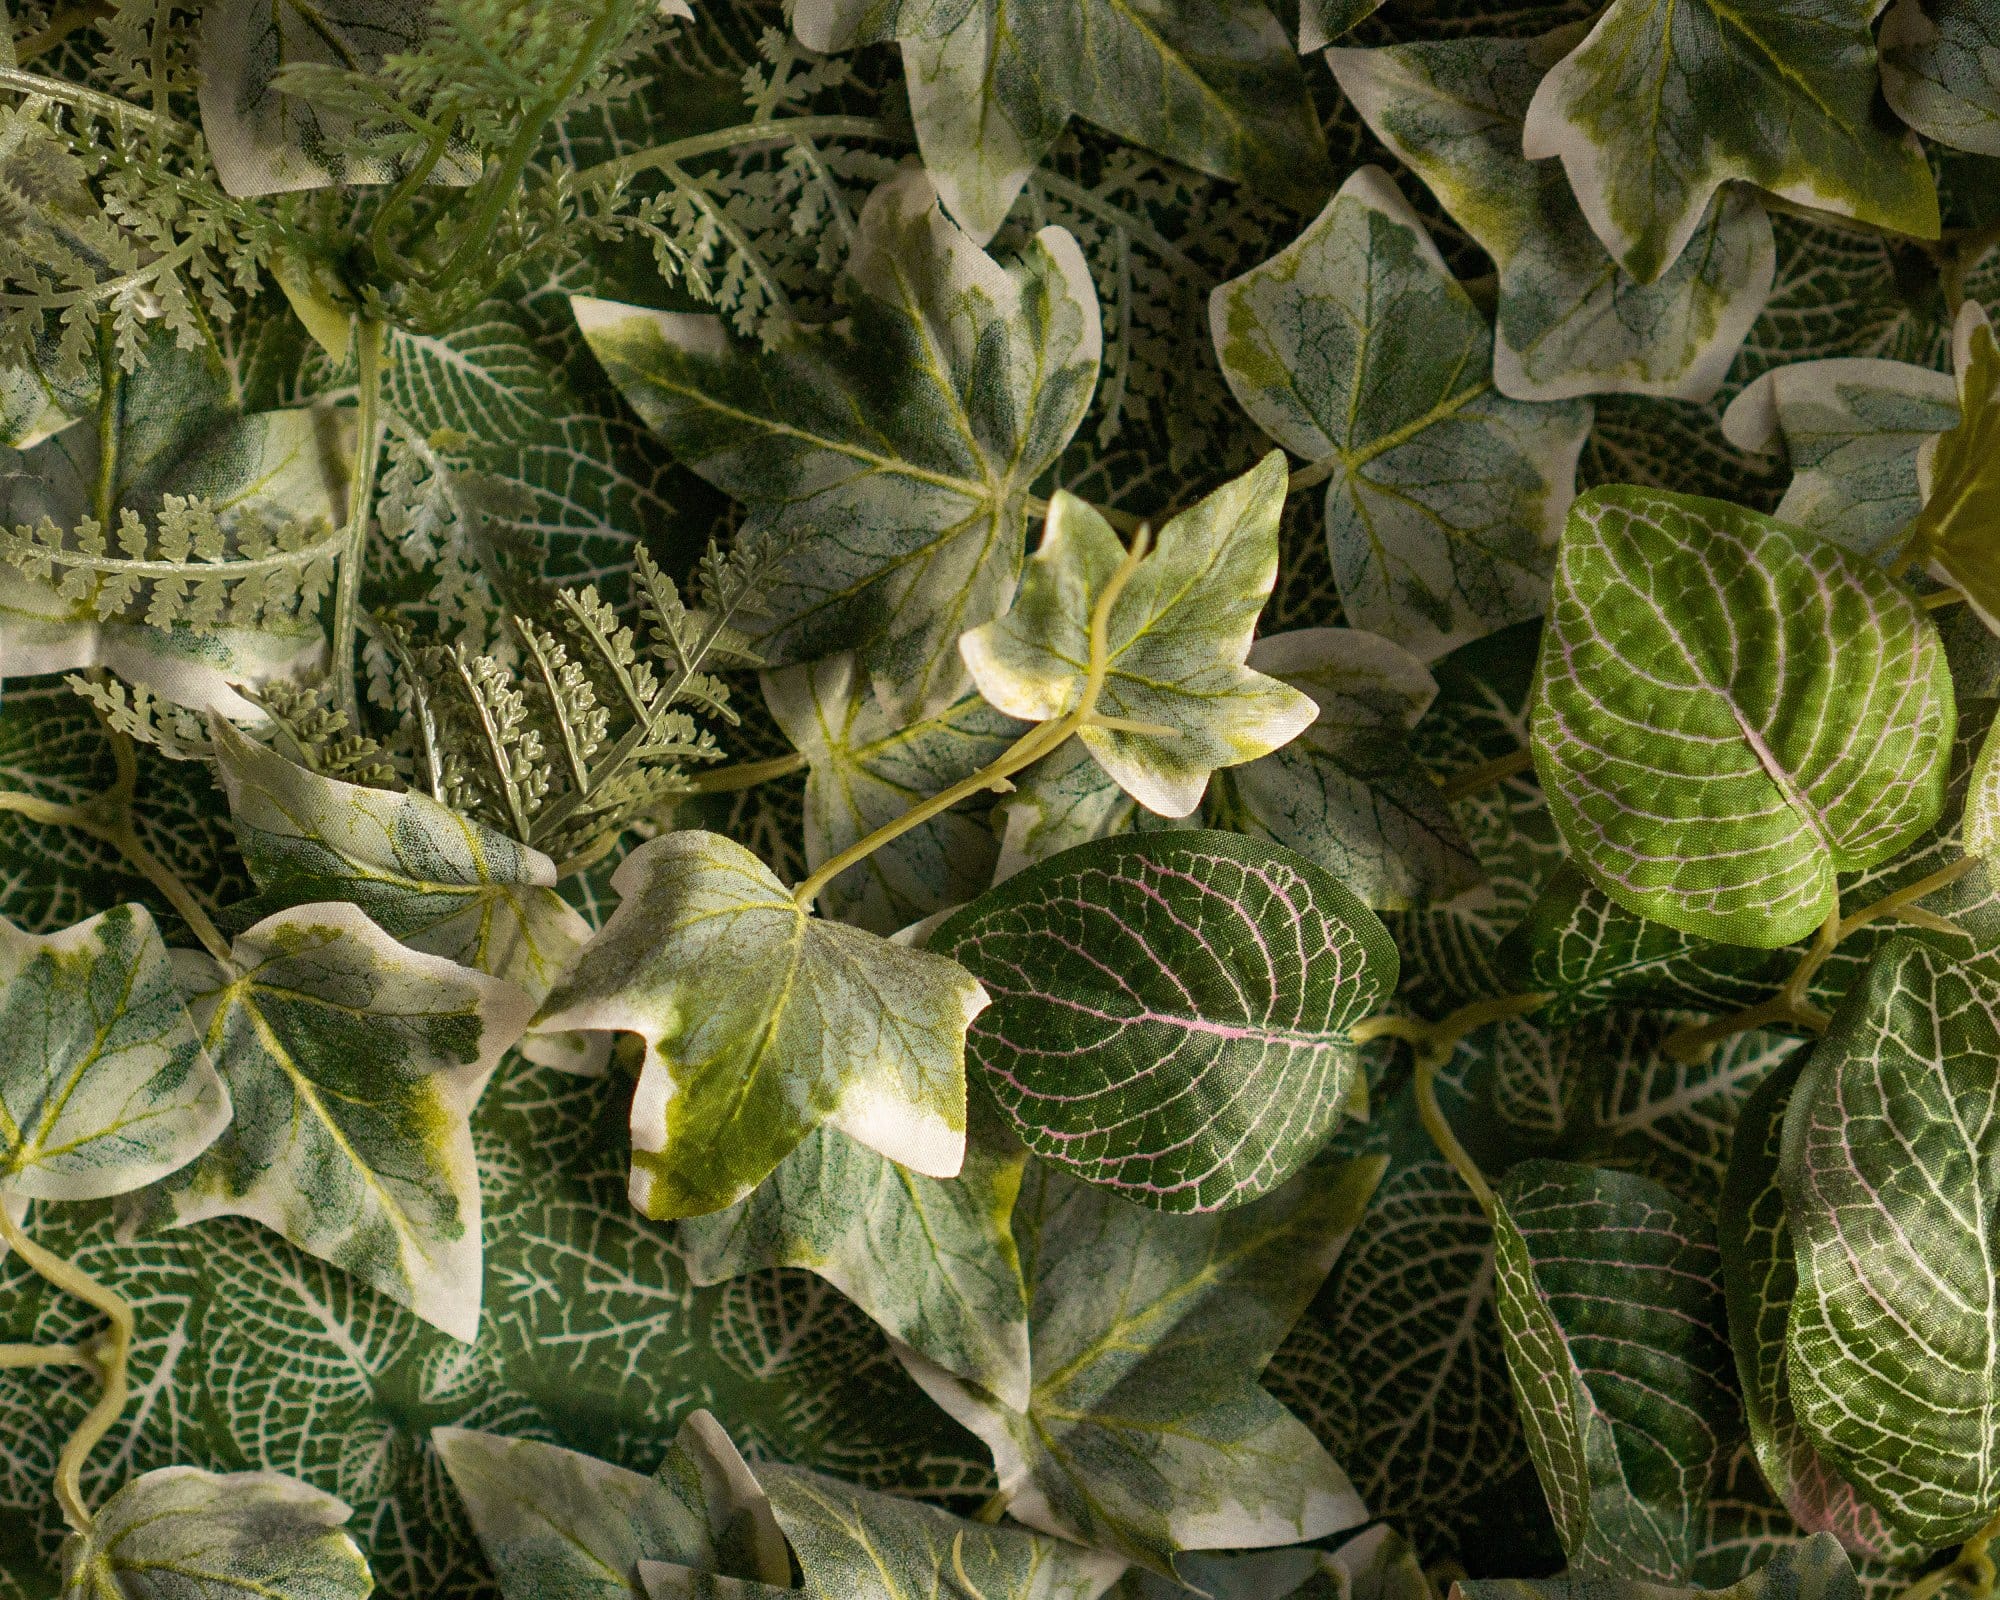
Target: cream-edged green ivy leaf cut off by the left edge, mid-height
{"type": "Point", "coordinates": [105, 1085]}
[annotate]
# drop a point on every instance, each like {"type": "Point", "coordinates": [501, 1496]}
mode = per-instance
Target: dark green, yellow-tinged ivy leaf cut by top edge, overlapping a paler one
{"type": "Point", "coordinates": [1781, 97]}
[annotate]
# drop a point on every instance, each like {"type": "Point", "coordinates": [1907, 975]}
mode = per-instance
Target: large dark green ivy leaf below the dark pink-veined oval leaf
{"type": "Point", "coordinates": [1145, 1429]}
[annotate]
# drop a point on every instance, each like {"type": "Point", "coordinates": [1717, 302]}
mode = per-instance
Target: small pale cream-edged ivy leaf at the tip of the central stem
{"type": "Point", "coordinates": [1177, 639]}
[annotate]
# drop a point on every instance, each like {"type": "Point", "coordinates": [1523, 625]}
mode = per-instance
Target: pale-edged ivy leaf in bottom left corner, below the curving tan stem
{"type": "Point", "coordinates": [189, 1535]}
